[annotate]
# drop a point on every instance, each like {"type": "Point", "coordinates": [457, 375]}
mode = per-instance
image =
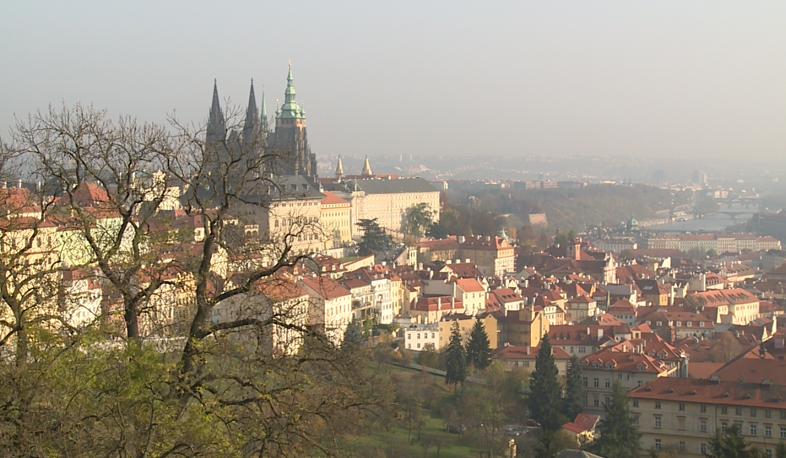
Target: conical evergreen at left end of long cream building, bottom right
{"type": "Point", "coordinates": [619, 438]}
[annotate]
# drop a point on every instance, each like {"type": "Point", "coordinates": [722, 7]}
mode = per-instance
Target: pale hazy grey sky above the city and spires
{"type": "Point", "coordinates": [425, 77]}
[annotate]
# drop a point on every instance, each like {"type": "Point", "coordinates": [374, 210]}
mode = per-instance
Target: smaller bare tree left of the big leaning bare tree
{"type": "Point", "coordinates": [100, 173]}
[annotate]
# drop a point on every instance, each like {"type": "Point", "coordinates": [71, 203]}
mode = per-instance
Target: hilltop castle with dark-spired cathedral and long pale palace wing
{"type": "Point", "coordinates": [385, 197]}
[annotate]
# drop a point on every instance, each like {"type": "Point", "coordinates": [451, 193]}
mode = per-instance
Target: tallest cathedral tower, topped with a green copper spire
{"type": "Point", "coordinates": [290, 139]}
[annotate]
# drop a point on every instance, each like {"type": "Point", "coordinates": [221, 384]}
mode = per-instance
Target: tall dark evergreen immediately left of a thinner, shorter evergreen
{"type": "Point", "coordinates": [544, 397]}
